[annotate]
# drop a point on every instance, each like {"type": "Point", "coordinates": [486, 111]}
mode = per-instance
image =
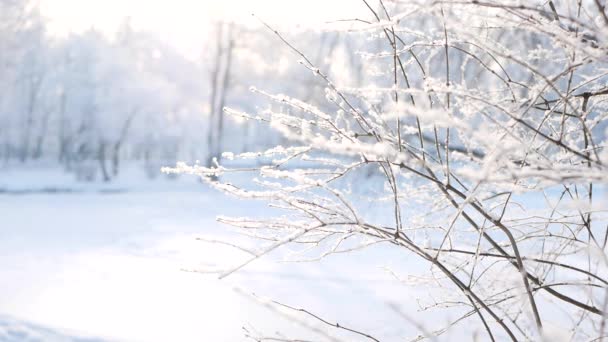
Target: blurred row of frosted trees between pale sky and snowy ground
{"type": "Point", "coordinates": [89, 101]}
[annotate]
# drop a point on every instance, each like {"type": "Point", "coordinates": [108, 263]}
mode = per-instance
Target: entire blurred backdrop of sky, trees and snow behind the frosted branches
{"type": "Point", "coordinates": [97, 96]}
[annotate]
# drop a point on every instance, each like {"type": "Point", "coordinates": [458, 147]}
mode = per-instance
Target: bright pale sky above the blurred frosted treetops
{"type": "Point", "coordinates": [184, 23]}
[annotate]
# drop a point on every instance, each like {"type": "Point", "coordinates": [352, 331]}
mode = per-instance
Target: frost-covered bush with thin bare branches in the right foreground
{"type": "Point", "coordinates": [486, 121]}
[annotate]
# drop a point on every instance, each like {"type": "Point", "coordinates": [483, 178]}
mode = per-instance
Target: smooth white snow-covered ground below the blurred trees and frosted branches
{"type": "Point", "coordinates": [110, 261]}
